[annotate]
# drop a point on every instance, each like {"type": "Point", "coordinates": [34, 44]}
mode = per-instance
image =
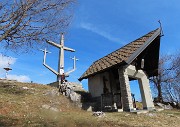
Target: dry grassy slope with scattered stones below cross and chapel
{"type": "Point", "coordinates": [24, 107]}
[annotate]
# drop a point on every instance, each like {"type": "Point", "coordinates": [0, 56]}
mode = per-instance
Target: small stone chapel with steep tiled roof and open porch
{"type": "Point", "coordinates": [108, 77]}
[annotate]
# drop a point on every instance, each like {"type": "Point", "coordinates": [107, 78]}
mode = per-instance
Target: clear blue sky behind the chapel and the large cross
{"type": "Point", "coordinates": [98, 28]}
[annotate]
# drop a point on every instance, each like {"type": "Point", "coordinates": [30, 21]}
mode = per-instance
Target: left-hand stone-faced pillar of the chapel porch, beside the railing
{"type": "Point", "coordinates": [125, 90]}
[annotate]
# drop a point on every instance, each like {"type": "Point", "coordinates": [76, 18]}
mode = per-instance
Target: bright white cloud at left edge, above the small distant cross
{"type": "Point", "coordinates": [4, 60]}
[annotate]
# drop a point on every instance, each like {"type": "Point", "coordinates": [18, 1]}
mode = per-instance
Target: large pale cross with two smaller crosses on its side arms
{"type": "Point", "coordinates": [62, 48]}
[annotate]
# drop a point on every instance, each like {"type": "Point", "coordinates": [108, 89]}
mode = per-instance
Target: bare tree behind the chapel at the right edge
{"type": "Point", "coordinates": [167, 83]}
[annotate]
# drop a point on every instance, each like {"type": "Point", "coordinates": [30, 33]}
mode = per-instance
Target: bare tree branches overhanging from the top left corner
{"type": "Point", "coordinates": [29, 22]}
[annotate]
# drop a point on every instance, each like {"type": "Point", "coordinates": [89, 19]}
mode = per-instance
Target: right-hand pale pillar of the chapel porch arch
{"type": "Point", "coordinates": [146, 93]}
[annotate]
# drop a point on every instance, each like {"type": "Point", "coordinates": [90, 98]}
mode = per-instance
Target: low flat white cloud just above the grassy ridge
{"type": "Point", "coordinates": [19, 78]}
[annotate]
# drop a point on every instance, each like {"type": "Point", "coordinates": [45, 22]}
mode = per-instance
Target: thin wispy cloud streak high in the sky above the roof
{"type": "Point", "coordinates": [100, 32]}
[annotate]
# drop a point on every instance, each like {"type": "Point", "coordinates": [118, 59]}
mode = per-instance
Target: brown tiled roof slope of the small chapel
{"type": "Point", "coordinates": [118, 56]}
